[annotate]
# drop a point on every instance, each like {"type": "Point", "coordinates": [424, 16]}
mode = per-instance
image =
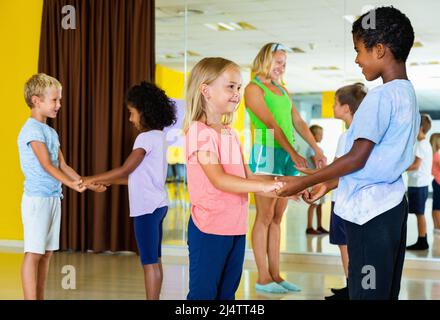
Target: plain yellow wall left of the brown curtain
{"type": "Point", "coordinates": [20, 34]}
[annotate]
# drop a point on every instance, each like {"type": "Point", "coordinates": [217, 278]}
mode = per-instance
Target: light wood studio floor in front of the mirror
{"type": "Point", "coordinates": [119, 276]}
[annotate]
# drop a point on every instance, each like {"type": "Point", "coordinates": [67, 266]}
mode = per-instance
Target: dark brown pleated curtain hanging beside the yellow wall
{"type": "Point", "coordinates": [111, 49]}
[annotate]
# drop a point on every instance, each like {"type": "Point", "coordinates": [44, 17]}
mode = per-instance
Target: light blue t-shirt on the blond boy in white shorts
{"type": "Point", "coordinates": [38, 182]}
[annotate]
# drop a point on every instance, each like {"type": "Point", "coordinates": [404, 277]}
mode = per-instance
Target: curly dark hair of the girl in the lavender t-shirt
{"type": "Point", "coordinates": [156, 110]}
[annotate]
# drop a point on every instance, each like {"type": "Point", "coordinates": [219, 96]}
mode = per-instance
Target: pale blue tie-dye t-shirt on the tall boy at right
{"type": "Point", "coordinates": [389, 117]}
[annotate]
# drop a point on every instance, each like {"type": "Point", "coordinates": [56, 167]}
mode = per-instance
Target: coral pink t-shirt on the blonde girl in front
{"type": "Point", "coordinates": [214, 211]}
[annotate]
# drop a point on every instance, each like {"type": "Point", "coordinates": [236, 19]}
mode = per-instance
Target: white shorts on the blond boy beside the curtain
{"type": "Point", "coordinates": [41, 223]}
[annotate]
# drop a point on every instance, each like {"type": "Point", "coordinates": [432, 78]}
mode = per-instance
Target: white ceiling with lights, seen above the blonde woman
{"type": "Point", "coordinates": [316, 27]}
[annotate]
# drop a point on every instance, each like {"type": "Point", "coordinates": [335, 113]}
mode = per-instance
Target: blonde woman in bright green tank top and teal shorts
{"type": "Point", "coordinates": [273, 117]}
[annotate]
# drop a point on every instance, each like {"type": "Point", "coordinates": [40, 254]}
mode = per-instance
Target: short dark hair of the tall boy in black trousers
{"type": "Point", "coordinates": [391, 28]}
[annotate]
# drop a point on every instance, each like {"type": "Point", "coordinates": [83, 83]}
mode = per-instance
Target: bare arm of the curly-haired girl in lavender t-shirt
{"type": "Point", "coordinates": [118, 175]}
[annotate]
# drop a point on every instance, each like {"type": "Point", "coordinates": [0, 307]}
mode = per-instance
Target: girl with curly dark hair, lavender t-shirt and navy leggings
{"type": "Point", "coordinates": [145, 172]}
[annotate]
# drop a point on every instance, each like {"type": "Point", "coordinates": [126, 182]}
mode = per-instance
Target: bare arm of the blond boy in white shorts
{"type": "Point", "coordinates": [40, 151]}
